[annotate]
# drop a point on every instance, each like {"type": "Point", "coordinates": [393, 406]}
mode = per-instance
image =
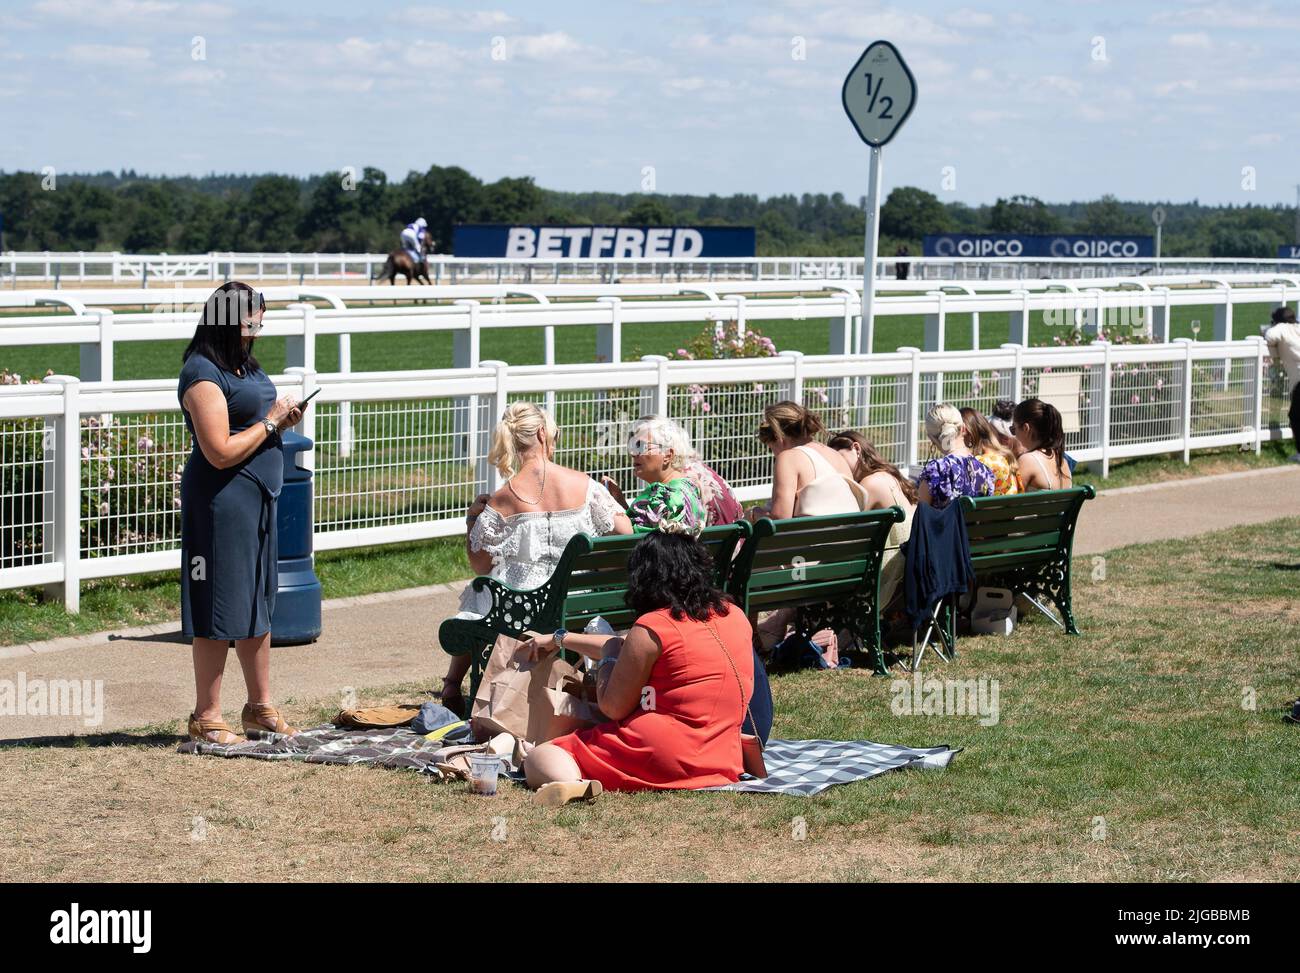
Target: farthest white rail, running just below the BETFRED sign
{"type": "Point", "coordinates": [81, 267]}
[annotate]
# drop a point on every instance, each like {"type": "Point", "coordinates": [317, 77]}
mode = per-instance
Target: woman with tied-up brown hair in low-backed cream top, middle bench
{"type": "Point", "coordinates": [809, 479]}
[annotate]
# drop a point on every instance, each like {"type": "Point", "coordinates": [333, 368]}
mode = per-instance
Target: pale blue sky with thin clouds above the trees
{"type": "Point", "coordinates": [1065, 100]}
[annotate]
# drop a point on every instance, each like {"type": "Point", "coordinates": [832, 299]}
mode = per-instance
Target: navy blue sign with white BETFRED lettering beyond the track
{"type": "Point", "coordinates": [614, 243]}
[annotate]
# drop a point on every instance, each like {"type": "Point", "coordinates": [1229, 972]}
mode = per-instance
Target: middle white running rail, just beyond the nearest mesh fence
{"type": "Point", "coordinates": [97, 328]}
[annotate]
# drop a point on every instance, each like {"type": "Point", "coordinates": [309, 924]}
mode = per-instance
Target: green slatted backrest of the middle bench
{"type": "Point", "coordinates": [808, 560]}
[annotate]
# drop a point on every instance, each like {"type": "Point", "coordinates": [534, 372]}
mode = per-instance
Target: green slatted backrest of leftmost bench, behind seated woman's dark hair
{"type": "Point", "coordinates": [599, 573]}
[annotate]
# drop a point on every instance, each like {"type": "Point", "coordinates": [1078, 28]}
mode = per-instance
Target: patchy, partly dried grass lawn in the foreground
{"type": "Point", "coordinates": [1147, 750]}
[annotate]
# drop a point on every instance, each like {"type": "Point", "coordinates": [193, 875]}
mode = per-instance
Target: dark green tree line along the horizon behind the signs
{"type": "Point", "coordinates": [363, 213]}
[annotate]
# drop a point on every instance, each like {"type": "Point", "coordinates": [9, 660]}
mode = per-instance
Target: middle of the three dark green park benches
{"type": "Point", "coordinates": [829, 568]}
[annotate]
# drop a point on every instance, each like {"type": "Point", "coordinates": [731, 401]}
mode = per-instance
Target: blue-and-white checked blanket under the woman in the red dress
{"type": "Point", "coordinates": [805, 768]}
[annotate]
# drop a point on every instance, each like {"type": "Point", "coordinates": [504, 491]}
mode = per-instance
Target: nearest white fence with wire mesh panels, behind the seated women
{"type": "Point", "coordinates": [90, 472]}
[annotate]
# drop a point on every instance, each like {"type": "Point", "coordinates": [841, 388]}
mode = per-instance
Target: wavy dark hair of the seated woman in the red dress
{"type": "Point", "coordinates": [674, 572]}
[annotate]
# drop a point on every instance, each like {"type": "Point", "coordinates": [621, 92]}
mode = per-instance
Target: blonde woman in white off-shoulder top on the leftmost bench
{"type": "Point", "coordinates": [518, 534]}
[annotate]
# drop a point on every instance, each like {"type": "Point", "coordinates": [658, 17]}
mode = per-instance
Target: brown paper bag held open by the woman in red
{"type": "Point", "coordinates": [535, 702]}
